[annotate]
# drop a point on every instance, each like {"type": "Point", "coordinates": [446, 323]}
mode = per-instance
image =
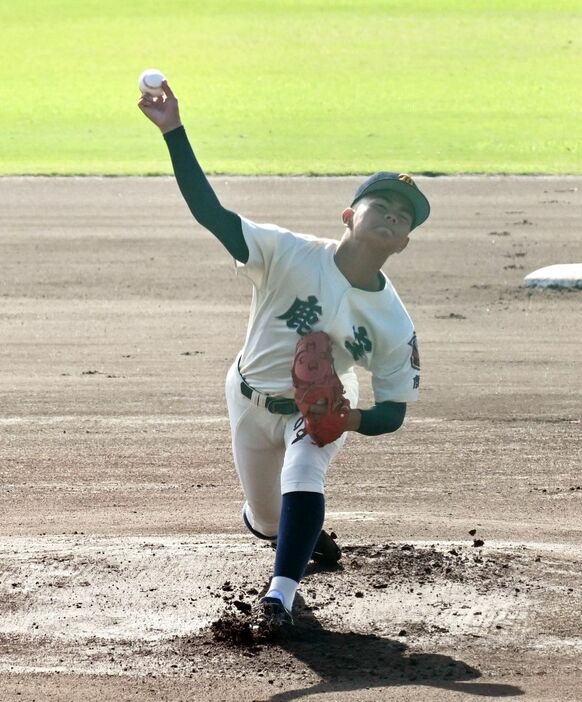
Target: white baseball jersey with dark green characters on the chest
{"type": "Point", "coordinates": [298, 288]}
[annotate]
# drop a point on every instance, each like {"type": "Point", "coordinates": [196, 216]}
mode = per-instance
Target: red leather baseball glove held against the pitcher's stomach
{"type": "Point", "coordinates": [316, 383]}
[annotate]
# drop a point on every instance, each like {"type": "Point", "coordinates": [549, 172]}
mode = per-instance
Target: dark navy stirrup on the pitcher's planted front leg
{"type": "Point", "coordinates": [300, 525]}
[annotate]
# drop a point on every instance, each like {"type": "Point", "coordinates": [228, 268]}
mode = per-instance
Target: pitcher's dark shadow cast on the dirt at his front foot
{"type": "Point", "coordinates": [350, 661]}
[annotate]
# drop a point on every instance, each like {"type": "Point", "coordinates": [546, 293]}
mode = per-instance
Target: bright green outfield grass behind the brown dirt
{"type": "Point", "coordinates": [304, 86]}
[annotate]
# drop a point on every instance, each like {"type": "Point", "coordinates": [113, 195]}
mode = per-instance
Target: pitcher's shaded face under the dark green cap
{"type": "Point", "coordinates": [383, 220]}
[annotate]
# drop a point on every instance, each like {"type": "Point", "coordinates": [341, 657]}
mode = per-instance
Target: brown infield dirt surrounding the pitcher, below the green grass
{"type": "Point", "coordinates": [121, 539]}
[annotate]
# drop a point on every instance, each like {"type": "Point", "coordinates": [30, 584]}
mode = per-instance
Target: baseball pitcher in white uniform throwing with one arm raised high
{"type": "Point", "coordinates": [304, 286]}
